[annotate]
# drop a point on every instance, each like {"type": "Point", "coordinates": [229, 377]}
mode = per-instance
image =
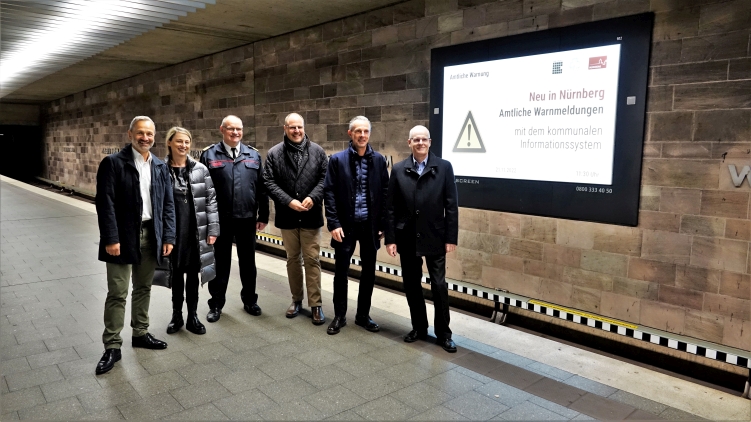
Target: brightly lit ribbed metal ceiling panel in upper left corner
{"type": "Point", "coordinates": [40, 37]}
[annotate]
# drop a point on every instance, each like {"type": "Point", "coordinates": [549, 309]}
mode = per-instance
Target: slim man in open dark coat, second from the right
{"type": "Point", "coordinates": [355, 194]}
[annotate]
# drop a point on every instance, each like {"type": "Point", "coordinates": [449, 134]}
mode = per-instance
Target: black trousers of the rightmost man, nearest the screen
{"type": "Point", "coordinates": [412, 269]}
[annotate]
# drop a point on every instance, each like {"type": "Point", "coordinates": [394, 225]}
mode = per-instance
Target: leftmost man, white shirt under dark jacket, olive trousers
{"type": "Point", "coordinates": [136, 216]}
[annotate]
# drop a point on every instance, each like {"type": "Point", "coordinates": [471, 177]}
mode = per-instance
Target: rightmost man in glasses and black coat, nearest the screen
{"type": "Point", "coordinates": [423, 220]}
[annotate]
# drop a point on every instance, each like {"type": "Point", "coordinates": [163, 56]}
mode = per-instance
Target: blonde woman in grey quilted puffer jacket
{"type": "Point", "coordinates": [197, 229]}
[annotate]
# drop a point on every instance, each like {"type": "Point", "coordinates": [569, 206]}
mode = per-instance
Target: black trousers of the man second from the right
{"type": "Point", "coordinates": [362, 232]}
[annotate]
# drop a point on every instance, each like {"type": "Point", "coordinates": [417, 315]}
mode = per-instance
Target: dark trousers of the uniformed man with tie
{"type": "Point", "coordinates": [243, 232]}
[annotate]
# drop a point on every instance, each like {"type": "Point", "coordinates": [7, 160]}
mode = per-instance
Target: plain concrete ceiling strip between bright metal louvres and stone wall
{"type": "Point", "coordinates": [217, 27]}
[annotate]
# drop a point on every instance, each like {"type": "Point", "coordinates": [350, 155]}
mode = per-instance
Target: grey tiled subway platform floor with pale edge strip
{"type": "Point", "coordinates": [52, 292]}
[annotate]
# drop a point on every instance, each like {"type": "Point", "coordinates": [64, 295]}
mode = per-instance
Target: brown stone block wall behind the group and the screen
{"type": "Point", "coordinates": [684, 269]}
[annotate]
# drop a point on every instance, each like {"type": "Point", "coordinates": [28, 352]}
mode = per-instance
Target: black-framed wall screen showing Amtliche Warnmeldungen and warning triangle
{"type": "Point", "coordinates": [547, 123]}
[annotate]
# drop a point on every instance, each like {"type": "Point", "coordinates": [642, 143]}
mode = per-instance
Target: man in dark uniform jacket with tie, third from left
{"type": "Point", "coordinates": [237, 174]}
